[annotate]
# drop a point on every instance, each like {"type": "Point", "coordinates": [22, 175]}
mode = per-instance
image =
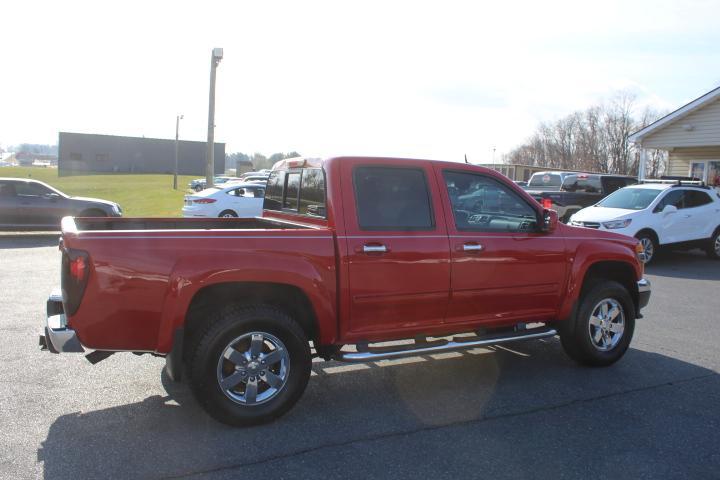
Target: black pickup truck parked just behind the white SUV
{"type": "Point", "coordinates": [578, 191]}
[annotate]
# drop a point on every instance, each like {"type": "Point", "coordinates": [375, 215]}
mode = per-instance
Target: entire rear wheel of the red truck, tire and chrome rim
{"type": "Point", "coordinates": [250, 366]}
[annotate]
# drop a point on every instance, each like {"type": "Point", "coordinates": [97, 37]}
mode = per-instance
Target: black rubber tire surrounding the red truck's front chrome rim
{"type": "Point", "coordinates": [577, 338]}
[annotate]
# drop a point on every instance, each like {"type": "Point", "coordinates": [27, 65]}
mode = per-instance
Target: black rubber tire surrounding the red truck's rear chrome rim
{"type": "Point", "coordinates": [205, 367]}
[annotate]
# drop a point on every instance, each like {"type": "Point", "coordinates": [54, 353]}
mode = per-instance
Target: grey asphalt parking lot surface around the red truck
{"type": "Point", "coordinates": [525, 411]}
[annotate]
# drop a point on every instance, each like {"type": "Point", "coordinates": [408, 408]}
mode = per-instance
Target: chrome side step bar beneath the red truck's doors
{"type": "Point", "coordinates": [367, 354]}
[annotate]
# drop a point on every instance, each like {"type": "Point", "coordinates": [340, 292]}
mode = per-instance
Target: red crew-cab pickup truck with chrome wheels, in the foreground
{"type": "Point", "coordinates": [352, 254]}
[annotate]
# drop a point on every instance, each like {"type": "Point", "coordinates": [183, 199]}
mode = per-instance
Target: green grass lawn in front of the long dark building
{"type": "Point", "coordinates": [139, 195]}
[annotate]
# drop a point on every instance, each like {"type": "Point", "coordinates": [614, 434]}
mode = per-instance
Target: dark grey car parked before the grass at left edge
{"type": "Point", "coordinates": [32, 204]}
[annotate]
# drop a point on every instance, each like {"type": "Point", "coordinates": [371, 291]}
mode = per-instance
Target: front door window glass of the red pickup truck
{"type": "Point", "coordinates": [483, 204]}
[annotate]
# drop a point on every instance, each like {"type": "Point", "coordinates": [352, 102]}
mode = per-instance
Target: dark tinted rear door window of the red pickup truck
{"type": "Point", "coordinates": [392, 198]}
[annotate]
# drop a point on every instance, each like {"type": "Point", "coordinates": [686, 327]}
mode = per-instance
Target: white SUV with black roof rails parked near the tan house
{"type": "Point", "coordinates": [659, 214]}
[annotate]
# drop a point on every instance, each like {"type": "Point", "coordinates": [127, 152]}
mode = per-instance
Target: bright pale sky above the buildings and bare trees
{"type": "Point", "coordinates": [421, 79]}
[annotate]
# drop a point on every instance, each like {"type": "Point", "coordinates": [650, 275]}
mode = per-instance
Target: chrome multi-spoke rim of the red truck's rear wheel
{"type": "Point", "coordinates": [253, 368]}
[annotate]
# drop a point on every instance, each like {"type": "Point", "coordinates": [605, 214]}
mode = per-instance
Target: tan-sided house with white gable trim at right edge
{"type": "Point", "coordinates": [691, 136]}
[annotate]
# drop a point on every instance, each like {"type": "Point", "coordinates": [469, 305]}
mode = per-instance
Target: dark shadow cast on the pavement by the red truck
{"type": "Point", "coordinates": [489, 404]}
